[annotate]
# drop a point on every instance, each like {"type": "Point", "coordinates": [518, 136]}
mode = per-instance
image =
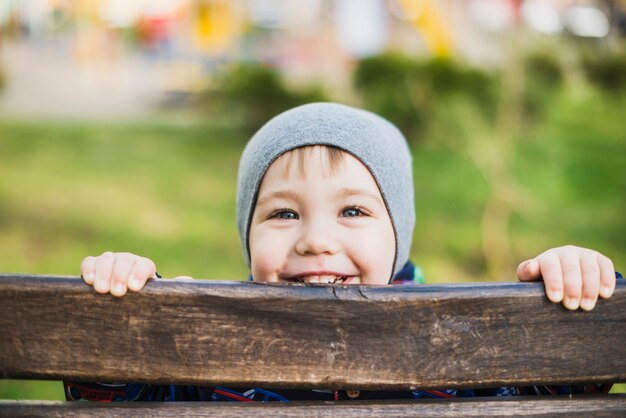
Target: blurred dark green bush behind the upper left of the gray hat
{"type": "Point", "coordinates": [253, 94]}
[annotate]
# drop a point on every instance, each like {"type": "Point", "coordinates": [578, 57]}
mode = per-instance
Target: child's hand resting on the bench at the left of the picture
{"type": "Point", "coordinates": [117, 272]}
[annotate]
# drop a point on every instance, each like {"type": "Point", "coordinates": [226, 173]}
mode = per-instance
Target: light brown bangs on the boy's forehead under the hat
{"type": "Point", "coordinates": [329, 159]}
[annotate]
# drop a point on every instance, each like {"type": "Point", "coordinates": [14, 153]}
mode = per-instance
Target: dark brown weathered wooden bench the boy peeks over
{"type": "Point", "coordinates": [344, 337]}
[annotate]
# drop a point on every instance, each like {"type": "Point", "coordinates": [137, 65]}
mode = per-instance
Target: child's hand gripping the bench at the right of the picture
{"type": "Point", "coordinates": [571, 274]}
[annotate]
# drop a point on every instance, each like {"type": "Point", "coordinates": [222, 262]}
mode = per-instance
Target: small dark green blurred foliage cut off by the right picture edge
{"type": "Point", "coordinates": [606, 70]}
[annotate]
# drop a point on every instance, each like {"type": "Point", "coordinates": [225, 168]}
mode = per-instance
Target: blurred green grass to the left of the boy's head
{"type": "Point", "coordinates": [70, 190]}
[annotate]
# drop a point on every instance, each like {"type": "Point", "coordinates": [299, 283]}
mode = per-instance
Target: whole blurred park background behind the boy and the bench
{"type": "Point", "coordinates": [122, 121]}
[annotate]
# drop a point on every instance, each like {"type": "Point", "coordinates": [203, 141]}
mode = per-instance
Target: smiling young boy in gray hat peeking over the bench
{"type": "Point", "coordinates": [325, 195]}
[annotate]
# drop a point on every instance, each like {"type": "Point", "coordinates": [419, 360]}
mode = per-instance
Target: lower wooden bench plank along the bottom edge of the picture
{"type": "Point", "coordinates": [553, 406]}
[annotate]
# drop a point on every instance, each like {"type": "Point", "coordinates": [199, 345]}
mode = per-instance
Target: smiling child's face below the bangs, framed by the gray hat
{"type": "Point", "coordinates": [319, 224]}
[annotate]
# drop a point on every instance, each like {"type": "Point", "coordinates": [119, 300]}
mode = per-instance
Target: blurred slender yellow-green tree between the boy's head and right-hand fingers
{"type": "Point", "coordinates": [491, 141]}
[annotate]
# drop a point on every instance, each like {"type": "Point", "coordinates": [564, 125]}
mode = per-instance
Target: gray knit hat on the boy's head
{"type": "Point", "coordinates": [374, 141]}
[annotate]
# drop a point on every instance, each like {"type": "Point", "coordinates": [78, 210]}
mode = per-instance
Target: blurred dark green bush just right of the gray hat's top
{"type": "Point", "coordinates": [407, 90]}
